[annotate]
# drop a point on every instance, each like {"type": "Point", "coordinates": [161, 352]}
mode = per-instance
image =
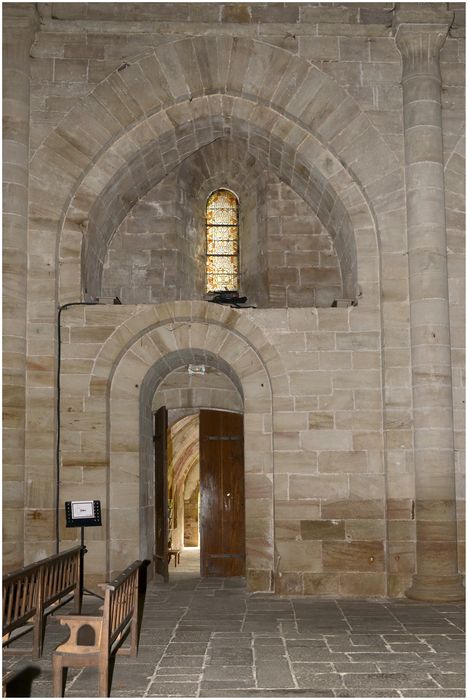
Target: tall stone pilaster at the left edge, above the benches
{"type": "Point", "coordinates": [19, 24]}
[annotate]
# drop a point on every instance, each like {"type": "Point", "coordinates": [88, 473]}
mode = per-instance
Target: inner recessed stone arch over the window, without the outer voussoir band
{"type": "Point", "coordinates": [296, 158]}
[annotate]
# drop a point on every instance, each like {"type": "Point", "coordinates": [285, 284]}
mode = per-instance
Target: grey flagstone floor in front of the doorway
{"type": "Point", "coordinates": [209, 638]}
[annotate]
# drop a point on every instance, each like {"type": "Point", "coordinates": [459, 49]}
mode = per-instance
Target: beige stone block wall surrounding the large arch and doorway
{"type": "Point", "coordinates": [124, 97]}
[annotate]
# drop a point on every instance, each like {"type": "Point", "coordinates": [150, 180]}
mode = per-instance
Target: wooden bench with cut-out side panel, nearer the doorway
{"type": "Point", "coordinates": [119, 619]}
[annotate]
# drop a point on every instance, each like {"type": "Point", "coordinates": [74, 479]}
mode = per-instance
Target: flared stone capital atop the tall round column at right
{"type": "Point", "coordinates": [419, 36]}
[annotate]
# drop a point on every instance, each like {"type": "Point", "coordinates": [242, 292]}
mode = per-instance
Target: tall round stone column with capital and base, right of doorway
{"type": "Point", "coordinates": [419, 40]}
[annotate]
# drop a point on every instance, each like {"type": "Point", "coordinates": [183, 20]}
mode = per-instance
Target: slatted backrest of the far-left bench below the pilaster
{"type": "Point", "coordinates": [34, 587]}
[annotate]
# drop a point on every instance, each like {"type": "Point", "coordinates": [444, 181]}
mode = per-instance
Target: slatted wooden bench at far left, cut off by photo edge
{"type": "Point", "coordinates": [30, 594]}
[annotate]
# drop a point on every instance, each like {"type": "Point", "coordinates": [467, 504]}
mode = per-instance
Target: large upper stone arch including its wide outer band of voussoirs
{"type": "Point", "coordinates": [184, 95]}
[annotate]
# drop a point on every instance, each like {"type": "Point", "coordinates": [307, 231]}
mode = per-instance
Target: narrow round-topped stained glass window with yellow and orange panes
{"type": "Point", "coordinates": [222, 242]}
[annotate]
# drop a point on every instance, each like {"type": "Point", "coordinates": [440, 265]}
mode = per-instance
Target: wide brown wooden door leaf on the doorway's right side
{"type": "Point", "coordinates": [222, 509]}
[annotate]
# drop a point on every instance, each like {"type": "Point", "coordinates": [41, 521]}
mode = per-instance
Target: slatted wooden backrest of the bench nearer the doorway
{"type": "Point", "coordinates": [120, 606]}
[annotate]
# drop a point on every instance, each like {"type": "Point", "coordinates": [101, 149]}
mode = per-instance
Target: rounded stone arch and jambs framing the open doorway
{"type": "Point", "coordinates": [134, 360]}
